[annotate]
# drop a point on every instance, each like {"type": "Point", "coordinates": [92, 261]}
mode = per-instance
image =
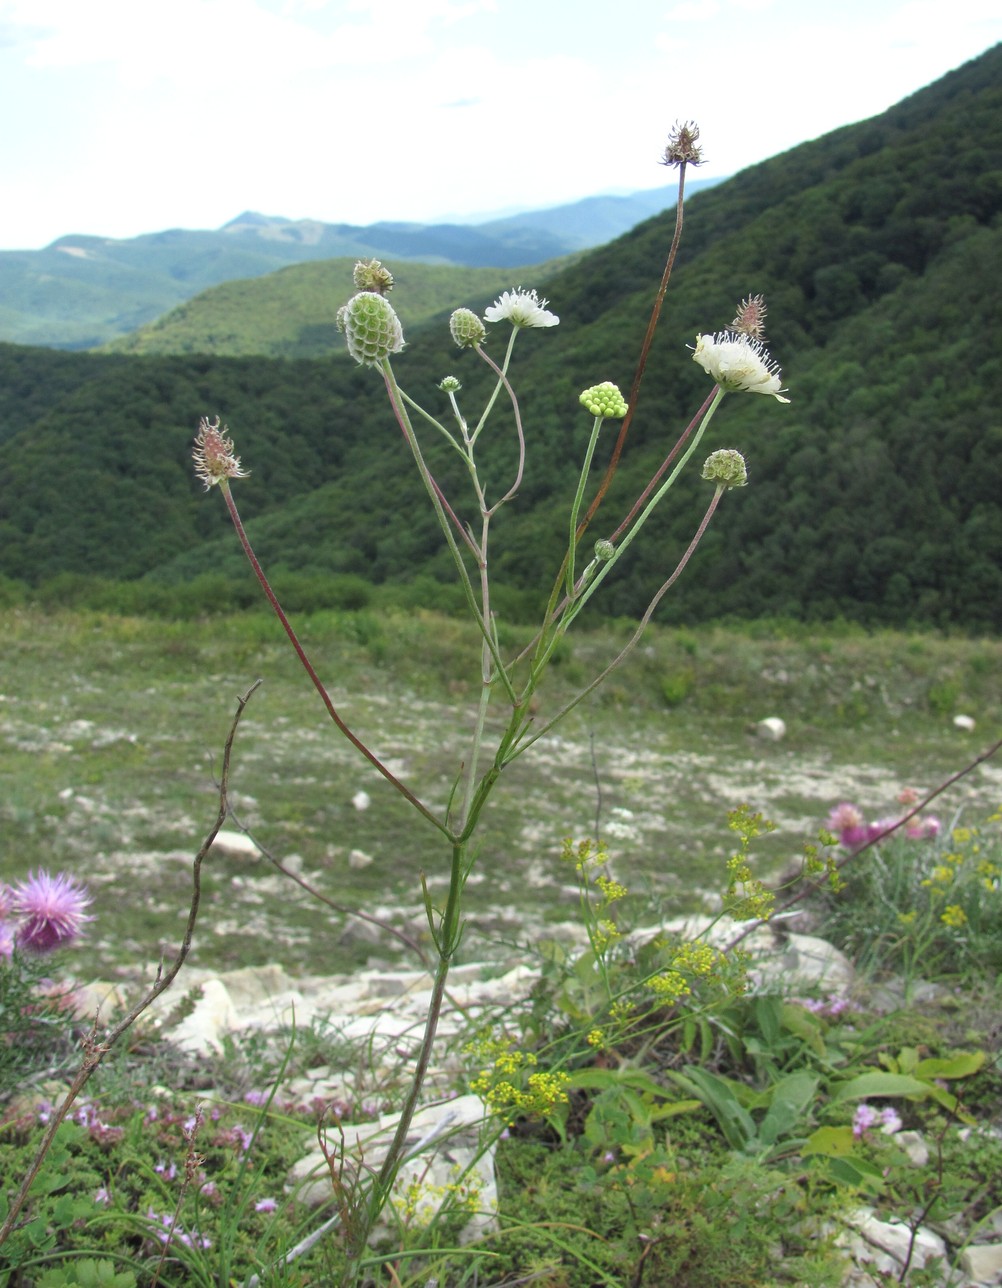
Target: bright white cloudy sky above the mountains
{"type": "Point", "coordinates": [133, 117]}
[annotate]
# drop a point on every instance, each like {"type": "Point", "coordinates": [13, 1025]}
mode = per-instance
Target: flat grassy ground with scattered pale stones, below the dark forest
{"type": "Point", "coordinates": [111, 730]}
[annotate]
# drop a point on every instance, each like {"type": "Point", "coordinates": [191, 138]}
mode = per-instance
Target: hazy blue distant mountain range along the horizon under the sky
{"type": "Point", "coordinates": [80, 293]}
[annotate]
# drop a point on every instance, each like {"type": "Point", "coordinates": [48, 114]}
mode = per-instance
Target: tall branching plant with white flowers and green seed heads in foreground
{"type": "Point", "coordinates": [739, 363]}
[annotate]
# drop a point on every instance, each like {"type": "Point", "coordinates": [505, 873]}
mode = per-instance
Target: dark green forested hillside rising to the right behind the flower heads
{"type": "Point", "coordinates": [875, 495]}
